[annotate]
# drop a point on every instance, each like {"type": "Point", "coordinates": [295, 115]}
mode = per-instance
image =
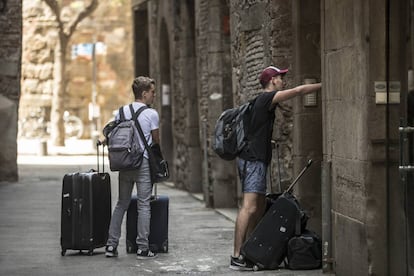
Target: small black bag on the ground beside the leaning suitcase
{"type": "Point", "coordinates": [305, 251]}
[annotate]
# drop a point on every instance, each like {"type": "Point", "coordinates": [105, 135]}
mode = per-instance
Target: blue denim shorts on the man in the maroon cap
{"type": "Point", "coordinates": [252, 176]}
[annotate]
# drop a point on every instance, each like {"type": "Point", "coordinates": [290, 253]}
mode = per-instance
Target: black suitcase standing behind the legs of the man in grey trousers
{"type": "Point", "coordinates": [158, 237]}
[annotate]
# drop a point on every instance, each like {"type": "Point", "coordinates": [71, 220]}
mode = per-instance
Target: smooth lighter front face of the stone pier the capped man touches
{"type": "Point", "coordinates": [344, 46]}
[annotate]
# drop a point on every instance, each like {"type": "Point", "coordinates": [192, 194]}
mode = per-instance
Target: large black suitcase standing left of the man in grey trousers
{"type": "Point", "coordinates": [86, 210]}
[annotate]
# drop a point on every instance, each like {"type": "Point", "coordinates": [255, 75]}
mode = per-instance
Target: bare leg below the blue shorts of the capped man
{"type": "Point", "coordinates": [249, 214]}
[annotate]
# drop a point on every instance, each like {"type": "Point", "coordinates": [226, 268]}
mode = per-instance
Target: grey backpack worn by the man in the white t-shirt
{"type": "Point", "coordinates": [124, 150]}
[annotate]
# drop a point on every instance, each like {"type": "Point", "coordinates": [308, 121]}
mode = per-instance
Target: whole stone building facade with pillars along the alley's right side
{"type": "Point", "coordinates": [206, 56]}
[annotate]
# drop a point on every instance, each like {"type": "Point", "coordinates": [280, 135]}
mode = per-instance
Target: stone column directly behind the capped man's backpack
{"type": "Point", "coordinates": [215, 95]}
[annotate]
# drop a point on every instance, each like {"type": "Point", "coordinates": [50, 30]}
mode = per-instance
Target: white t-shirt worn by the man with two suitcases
{"type": "Point", "coordinates": [148, 119]}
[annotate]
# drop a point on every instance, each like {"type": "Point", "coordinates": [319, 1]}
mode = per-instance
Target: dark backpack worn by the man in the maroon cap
{"type": "Point", "coordinates": [231, 129]}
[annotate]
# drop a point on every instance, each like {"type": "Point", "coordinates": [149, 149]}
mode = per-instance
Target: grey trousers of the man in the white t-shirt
{"type": "Point", "coordinates": [127, 179]}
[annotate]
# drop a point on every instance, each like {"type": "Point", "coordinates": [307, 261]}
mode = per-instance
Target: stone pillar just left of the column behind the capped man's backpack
{"type": "Point", "coordinates": [188, 130]}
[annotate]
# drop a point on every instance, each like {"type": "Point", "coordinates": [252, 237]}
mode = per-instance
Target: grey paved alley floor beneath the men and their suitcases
{"type": "Point", "coordinates": [200, 239]}
